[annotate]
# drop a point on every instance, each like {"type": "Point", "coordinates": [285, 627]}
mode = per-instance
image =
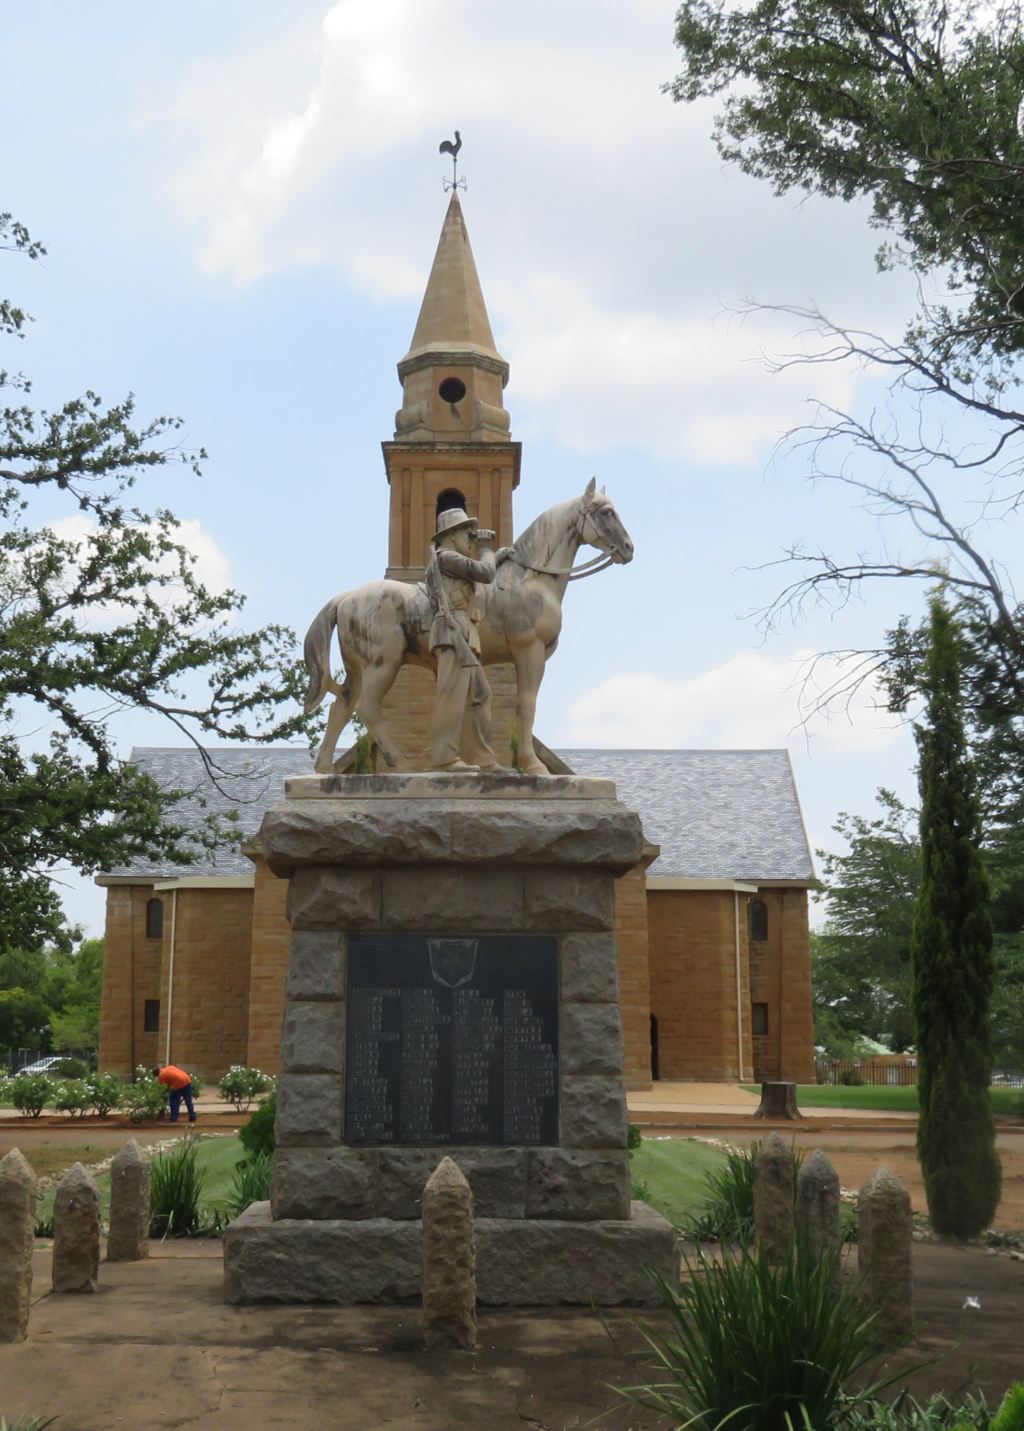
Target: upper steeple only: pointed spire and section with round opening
{"type": "Point", "coordinates": [453, 377]}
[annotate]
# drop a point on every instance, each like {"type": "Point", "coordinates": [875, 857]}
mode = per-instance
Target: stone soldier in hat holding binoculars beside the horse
{"type": "Point", "coordinates": [461, 559]}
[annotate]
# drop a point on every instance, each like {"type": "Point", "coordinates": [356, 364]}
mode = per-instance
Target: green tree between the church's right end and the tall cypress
{"type": "Point", "coordinates": [862, 957]}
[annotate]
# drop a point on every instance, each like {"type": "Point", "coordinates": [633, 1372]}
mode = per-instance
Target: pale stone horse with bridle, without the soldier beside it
{"type": "Point", "coordinates": [384, 625]}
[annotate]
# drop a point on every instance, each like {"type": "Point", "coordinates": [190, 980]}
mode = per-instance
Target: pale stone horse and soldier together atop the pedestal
{"type": "Point", "coordinates": [474, 609]}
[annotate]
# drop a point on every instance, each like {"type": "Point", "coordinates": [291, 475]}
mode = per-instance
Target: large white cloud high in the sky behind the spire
{"type": "Point", "coordinates": [607, 233]}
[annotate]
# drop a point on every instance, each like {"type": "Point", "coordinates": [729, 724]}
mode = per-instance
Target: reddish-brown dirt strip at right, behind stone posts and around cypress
{"type": "Point", "coordinates": [857, 1154]}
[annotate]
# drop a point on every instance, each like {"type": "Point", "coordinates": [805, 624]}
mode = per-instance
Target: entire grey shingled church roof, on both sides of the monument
{"type": "Point", "coordinates": [716, 814]}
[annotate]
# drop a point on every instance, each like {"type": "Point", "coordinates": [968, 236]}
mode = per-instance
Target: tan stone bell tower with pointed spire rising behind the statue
{"type": "Point", "coordinates": [453, 444]}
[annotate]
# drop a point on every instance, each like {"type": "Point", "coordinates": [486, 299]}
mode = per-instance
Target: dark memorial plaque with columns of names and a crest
{"type": "Point", "coordinates": [451, 1041]}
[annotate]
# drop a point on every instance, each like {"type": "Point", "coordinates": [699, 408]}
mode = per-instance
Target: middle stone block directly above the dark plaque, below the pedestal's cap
{"type": "Point", "coordinates": [456, 901]}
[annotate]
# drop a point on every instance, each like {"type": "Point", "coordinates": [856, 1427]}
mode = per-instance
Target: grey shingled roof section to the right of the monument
{"type": "Point", "coordinates": [716, 814]}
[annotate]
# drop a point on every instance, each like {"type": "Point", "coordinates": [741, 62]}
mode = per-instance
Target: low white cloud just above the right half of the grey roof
{"type": "Point", "coordinates": [749, 702]}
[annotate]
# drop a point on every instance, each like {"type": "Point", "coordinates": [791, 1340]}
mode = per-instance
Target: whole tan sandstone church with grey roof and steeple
{"type": "Point", "coordinates": [713, 925]}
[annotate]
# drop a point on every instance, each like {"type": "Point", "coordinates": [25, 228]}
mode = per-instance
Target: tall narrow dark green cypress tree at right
{"type": "Point", "coordinates": [952, 954]}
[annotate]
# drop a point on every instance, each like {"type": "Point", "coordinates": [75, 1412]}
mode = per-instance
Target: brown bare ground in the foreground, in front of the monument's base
{"type": "Point", "coordinates": [157, 1349]}
